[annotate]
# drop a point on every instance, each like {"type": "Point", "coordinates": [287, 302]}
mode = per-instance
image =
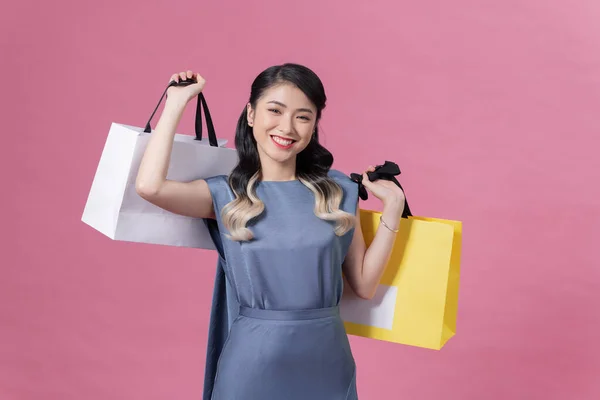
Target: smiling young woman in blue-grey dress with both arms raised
{"type": "Point", "coordinates": [287, 227]}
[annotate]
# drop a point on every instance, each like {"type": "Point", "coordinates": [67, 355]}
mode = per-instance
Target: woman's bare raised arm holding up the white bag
{"type": "Point", "coordinates": [191, 199]}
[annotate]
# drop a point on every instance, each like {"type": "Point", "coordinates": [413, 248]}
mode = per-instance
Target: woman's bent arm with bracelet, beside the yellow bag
{"type": "Point", "coordinates": [364, 267]}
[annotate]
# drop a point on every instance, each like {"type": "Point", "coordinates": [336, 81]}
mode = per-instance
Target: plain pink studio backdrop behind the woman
{"type": "Point", "coordinates": [489, 107]}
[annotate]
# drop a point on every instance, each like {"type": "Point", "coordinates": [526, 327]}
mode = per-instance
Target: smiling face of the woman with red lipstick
{"type": "Point", "coordinates": [283, 122]}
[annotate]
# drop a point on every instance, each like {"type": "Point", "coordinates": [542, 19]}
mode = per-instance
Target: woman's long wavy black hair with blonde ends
{"type": "Point", "coordinates": [312, 163]}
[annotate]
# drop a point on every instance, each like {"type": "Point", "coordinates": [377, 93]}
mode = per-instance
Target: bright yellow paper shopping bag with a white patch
{"type": "Point", "coordinates": [417, 299]}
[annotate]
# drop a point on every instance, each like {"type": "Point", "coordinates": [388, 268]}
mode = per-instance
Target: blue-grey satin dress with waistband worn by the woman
{"type": "Point", "coordinates": [275, 329]}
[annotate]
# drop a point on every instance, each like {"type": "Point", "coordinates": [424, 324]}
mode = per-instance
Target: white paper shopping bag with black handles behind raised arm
{"type": "Point", "coordinates": [115, 209]}
